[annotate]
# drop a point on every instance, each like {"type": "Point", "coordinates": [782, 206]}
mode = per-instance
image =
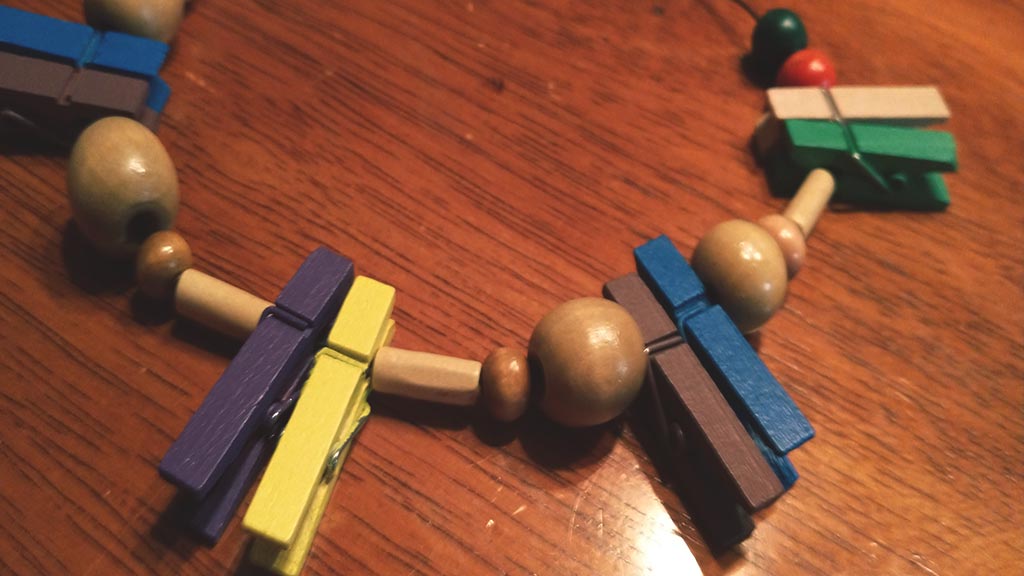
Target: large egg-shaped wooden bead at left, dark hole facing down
{"type": "Point", "coordinates": [122, 185]}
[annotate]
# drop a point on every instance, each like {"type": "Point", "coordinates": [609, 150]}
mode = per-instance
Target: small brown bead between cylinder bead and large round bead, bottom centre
{"type": "Point", "coordinates": [505, 385]}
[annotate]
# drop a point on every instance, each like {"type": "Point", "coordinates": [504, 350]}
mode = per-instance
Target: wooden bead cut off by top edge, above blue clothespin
{"type": "Point", "coordinates": [158, 20]}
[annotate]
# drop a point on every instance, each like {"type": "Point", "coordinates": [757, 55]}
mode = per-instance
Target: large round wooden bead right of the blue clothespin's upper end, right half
{"type": "Point", "coordinates": [744, 271]}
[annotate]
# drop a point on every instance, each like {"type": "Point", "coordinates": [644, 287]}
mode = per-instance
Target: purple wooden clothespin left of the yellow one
{"type": "Point", "coordinates": [224, 446]}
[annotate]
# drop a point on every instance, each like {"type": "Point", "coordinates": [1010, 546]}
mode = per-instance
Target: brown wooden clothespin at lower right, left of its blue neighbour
{"type": "Point", "coordinates": [700, 444]}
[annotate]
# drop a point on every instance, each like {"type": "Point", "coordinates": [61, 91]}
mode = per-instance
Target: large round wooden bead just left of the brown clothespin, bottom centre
{"type": "Point", "coordinates": [590, 362]}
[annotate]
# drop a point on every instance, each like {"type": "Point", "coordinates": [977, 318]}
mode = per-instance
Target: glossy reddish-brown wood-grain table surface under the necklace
{"type": "Point", "coordinates": [492, 159]}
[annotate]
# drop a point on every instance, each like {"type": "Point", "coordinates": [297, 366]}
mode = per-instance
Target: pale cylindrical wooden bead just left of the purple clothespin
{"type": "Point", "coordinates": [218, 305]}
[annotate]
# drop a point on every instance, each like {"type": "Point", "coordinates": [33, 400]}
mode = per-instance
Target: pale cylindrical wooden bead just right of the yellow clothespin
{"type": "Point", "coordinates": [426, 377]}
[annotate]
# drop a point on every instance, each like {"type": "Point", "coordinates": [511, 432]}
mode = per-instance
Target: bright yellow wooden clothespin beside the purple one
{"type": "Point", "coordinates": [290, 501]}
